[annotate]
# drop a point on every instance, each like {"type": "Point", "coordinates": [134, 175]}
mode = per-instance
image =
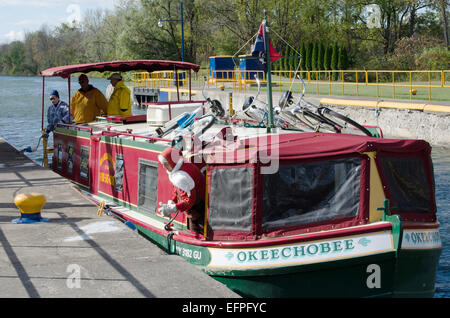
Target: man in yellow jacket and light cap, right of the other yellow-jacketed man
{"type": "Point", "coordinates": [120, 101]}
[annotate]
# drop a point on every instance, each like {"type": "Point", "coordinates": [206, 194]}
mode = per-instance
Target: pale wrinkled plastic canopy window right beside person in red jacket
{"type": "Point", "coordinates": [230, 199]}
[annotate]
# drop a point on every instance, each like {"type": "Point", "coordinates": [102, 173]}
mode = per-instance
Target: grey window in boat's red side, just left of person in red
{"type": "Point", "coordinates": [148, 185]}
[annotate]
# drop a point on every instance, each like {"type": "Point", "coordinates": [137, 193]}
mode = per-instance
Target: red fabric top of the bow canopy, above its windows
{"type": "Point", "coordinates": [308, 145]}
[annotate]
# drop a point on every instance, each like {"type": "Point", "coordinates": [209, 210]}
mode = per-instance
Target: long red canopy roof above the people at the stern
{"type": "Point", "coordinates": [120, 66]}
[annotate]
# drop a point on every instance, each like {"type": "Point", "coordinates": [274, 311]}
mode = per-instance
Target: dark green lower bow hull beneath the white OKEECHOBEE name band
{"type": "Point", "coordinates": [412, 274]}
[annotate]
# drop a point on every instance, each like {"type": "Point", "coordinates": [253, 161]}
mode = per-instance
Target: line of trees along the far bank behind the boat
{"type": "Point", "coordinates": [328, 34]}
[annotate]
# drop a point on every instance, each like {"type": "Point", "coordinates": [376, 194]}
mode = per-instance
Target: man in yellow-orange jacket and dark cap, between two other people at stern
{"type": "Point", "coordinates": [87, 102]}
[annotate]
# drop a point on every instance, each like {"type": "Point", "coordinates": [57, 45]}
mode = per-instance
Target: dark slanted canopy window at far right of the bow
{"type": "Point", "coordinates": [407, 183]}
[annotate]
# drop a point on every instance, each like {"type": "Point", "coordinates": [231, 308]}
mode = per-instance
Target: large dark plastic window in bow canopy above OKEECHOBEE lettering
{"type": "Point", "coordinates": [311, 192]}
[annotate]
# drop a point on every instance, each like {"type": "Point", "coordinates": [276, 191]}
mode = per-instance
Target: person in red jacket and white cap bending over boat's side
{"type": "Point", "coordinates": [188, 189]}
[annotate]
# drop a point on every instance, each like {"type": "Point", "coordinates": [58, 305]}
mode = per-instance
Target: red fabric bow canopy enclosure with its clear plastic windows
{"type": "Point", "coordinates": [287, 184]}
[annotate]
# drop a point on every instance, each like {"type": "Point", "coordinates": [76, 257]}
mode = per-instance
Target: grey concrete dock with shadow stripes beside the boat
{"type": "Point", "coordinates": [78, 253]}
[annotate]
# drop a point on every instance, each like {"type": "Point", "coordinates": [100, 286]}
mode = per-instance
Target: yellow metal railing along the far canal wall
{"type": "Point", "coordinates": [240, 79]}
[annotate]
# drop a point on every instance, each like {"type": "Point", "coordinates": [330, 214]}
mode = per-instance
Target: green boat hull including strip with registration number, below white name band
{"type": "Point", "coordinates": [406, 273]}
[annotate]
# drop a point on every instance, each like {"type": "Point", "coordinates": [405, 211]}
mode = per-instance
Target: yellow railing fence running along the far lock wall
{"type": "Point", "coordinates": [394, 84]}
